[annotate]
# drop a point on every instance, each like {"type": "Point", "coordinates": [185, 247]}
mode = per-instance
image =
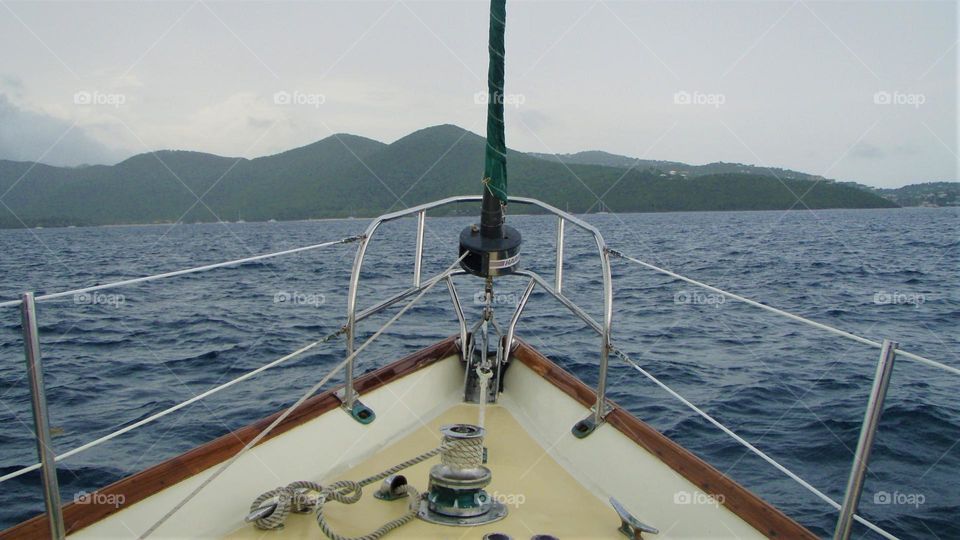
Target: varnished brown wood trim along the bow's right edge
{"type": "Point", "coordinates": [752, 509]}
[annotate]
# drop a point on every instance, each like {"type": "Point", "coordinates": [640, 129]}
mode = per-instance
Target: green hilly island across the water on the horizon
{"type": "Point", "coordinates": [351, 176]}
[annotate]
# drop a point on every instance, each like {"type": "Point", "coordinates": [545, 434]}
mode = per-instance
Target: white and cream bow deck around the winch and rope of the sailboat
{"type": "Point", "coordinates": [563, 482]}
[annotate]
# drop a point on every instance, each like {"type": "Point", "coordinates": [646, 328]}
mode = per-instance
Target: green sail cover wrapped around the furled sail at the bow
{"type": "Point", "coordinates": [495, 161]}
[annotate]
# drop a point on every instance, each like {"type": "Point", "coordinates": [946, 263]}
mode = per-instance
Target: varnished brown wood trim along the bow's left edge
{"type": "Point", "coordinates": [141, 485]}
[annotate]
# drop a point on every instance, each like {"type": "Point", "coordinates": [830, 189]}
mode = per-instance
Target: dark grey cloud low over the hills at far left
{"type": "Point", "coordinates": [33, 136]}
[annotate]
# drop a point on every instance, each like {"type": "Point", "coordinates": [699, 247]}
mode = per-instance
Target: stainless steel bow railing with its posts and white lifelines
{"type": "Point", "coordinates": [889, 350]}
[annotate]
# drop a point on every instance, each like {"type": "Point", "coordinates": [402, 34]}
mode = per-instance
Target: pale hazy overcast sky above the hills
{"type": "Point", "coordinates": [863, 91]}
